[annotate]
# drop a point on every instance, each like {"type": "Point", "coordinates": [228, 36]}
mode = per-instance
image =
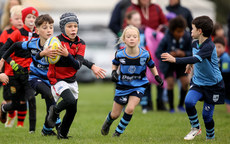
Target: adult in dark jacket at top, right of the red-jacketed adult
{"type": "Point", "coordinates": [175, 7]}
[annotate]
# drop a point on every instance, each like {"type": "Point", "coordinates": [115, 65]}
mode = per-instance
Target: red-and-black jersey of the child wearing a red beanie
{"type": "Point", "coordinates": [21, 57]}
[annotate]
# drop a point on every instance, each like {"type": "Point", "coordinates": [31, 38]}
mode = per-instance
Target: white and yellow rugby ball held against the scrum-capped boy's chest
{"type": "Point", "coordinates": [55, 43]}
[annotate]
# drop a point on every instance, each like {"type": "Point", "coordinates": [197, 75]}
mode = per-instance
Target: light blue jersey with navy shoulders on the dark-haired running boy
{"type": "Point", "coordinates": [206, 71]}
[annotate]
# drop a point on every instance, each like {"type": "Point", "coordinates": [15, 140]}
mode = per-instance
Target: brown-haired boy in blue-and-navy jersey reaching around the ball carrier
{"type": "Point", "coordinates": [39, 67]}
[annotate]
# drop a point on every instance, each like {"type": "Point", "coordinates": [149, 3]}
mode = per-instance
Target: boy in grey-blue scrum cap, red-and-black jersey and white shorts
{"type": "Point", "coordinates": [62, 75]}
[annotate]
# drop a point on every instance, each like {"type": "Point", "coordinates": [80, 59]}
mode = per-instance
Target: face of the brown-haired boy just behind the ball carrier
{"type": "Point", "coordinates": [45, 30]}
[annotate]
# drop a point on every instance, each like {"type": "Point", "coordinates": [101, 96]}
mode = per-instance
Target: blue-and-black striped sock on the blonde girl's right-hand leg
{"type": "Point", "coordinates": [123, 123]}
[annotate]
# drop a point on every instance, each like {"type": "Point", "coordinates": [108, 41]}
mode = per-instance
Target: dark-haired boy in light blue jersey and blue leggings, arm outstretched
{"type": "Point", "coordinates": [207, 83]}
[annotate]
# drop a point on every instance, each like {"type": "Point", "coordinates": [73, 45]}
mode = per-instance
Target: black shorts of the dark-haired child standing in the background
{"type": "Point", "coordinates": [179, 69]}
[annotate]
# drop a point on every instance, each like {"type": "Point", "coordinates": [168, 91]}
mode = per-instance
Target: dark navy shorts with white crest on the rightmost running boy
{"type": "Point", "coordinates": [212, 94]}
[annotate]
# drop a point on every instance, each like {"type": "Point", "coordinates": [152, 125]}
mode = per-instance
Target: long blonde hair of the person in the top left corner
{"type": "Point", "coordinates": [5, 19]}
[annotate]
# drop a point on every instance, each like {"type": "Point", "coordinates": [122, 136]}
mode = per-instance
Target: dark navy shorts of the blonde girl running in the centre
{"type": "Point", "coordinates": [123, 100]}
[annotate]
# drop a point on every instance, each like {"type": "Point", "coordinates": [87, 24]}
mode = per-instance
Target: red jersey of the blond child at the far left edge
{"type": "Point", "coordinates": [3, 38]}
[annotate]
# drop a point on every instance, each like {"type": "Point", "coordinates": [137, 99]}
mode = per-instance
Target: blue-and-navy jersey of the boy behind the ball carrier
{"type": "Point", "coordinates": [38, 68]}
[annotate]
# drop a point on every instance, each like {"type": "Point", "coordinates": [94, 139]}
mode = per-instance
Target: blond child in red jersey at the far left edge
{"type": "Point", "coordinates": [16, 21]}
